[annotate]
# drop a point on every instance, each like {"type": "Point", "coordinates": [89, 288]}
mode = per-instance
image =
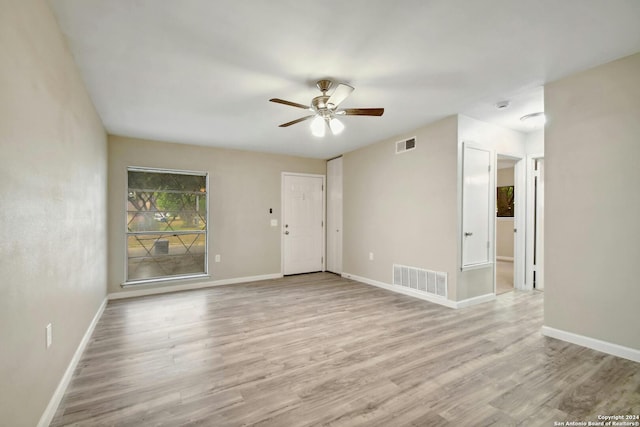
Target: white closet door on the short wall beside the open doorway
{"type": "Point", "coordinates": [478, 203]}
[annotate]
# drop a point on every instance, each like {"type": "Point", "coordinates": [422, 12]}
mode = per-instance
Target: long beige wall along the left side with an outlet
{"type": "Point", "coordinates": [53, 217]}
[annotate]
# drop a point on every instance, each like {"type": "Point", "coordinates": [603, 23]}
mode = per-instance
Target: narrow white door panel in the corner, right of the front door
{"type": "Point", "coordinates": [334, 215]}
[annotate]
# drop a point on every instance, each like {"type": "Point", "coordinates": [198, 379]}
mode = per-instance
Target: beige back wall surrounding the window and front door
{"type": "Point", "coordinates": [243, 187]}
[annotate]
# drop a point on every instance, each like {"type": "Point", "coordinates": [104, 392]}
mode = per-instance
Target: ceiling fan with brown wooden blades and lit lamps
{"type": "Point", "coordinates": [325, 109]}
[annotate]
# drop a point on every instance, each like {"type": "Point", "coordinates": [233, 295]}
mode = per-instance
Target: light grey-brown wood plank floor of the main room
{"type": "Point", "coordinates": [321, 350]}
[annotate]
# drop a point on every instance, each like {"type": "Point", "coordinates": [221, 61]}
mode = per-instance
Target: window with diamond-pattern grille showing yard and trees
{"type": "Point", "coordinates": [166, 224]}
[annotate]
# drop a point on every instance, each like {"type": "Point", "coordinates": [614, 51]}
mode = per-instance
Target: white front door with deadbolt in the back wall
{"type": "Point", "coordinates": [302, 223]}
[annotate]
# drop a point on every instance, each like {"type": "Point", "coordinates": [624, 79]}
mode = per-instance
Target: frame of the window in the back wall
{"type": "Point", "coordinates": [127, 233]}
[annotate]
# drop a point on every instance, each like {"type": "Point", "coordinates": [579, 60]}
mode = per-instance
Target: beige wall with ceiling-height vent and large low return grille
{"type": "Point", "coordinates": [402, 207]}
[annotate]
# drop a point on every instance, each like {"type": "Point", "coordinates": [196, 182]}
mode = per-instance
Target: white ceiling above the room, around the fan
{"type": "Point", "coordinates": [202, 71]}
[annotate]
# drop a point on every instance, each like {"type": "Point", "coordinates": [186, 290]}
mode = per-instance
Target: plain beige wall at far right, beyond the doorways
{"type": "Point", "coordinates": [592, 234]}
